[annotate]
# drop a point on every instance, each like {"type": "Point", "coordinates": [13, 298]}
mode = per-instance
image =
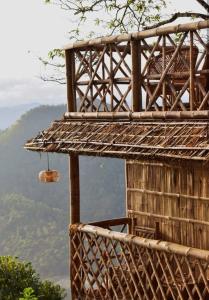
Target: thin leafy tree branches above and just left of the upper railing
{"type": "Point", "coordinates": [118, 16]}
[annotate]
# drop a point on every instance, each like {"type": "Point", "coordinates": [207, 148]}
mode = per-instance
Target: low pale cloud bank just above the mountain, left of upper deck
{"type": "Point", "coordinates": [14, 91]}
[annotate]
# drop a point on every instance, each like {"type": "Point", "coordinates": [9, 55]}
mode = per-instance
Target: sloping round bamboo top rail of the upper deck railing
{"type": "Point", "coordinates": [139, 35]}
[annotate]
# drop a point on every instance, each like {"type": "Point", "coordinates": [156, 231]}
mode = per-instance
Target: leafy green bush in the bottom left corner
{"type": "Point", "coordinates": [18, 280]}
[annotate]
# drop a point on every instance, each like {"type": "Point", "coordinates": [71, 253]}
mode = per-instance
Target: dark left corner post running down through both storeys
{"type": "Point", "coordinates": [74, 183]}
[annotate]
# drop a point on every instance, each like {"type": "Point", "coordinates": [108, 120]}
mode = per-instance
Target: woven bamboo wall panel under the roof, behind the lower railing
{"type": "Point", "coordinates": [173, 196]}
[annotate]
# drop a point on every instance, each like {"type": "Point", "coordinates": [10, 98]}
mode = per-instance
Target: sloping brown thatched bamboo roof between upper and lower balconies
{"type": "Point", "coordinates": [132, 139]}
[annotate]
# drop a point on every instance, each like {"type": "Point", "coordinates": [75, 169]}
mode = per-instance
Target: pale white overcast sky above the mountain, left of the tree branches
{"type": "Point", "coordinates": [28, 30]}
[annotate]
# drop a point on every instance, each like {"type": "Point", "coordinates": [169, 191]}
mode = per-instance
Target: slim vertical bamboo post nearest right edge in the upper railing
{"type": "Point", "coordinates": [192, 72]}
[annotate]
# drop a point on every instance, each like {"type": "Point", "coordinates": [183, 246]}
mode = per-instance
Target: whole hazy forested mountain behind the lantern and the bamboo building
{"type": "Point", "coordinates": [34, 216]}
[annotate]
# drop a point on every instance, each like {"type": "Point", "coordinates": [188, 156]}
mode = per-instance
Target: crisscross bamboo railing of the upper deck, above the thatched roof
{"type": "Point", "coordinates": [166, 69]}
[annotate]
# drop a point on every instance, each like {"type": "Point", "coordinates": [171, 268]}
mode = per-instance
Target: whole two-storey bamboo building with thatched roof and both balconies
{"type": "Point", "coordinates": [142, 97]}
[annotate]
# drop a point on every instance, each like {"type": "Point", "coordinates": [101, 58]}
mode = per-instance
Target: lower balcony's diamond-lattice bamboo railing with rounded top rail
{"type": "Point", "coordinates": [107, 264]}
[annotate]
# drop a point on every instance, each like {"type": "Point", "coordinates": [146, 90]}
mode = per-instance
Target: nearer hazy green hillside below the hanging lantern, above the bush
{"type": "Point", "coordinates": [35, 232]}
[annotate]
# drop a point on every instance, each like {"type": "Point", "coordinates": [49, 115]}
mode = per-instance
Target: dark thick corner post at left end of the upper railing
{"type": "Point", "coordinates": [70, 76]}
